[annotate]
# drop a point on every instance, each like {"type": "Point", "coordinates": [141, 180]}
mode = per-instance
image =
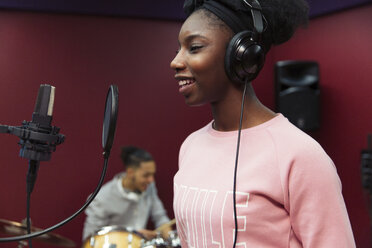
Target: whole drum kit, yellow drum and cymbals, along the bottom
{"type": "Point", "coordinates": [106, 237]}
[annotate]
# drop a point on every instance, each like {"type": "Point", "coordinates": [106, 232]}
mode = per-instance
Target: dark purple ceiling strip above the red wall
{"type": "Point", "coordinates": [158, 9]}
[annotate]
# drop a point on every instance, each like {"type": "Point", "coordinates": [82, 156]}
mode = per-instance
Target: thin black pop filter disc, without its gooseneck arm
{"type": "Point", "coordinates": [109, 118]}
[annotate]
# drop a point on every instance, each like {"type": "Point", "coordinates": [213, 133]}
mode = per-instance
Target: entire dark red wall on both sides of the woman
{"type": "Point", "coordinates": [82, 55]}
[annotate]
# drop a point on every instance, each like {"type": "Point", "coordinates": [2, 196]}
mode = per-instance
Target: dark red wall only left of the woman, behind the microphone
{"type": "Point", "coordinates": [81, 56]}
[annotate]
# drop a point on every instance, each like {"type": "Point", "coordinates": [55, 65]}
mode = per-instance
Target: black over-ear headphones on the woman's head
{"type": "Point", "coordinates": [244, 55]}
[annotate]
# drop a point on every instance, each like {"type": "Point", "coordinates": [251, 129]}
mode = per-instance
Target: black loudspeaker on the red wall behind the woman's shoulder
{"type": "Point", "coordinates": [297, 92]}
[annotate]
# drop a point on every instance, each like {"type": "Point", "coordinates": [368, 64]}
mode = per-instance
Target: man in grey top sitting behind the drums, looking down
{"type": "Point", "coordinates": [129, 199]}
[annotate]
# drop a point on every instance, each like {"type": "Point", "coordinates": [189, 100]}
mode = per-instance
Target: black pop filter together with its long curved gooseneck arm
{"type": "Point", "coordinates": [108, 133]}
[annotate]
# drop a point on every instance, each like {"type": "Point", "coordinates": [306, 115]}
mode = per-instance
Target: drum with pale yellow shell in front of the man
{"type": "Point", "coordinates": [114, 237]}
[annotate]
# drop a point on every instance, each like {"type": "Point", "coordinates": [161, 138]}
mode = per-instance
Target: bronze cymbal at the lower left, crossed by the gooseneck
{"type": "Point", "coordinates": [16, 229]}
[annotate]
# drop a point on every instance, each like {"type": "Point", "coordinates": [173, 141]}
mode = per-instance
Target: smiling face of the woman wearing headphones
{"type": "Point", "coordinates": [199, 63]}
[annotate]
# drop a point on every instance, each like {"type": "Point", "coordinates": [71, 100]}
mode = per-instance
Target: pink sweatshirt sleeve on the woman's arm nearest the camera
{"type": "Point", "coordinates": [317, 209]}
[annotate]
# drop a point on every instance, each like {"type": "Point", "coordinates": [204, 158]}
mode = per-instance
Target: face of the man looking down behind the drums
{"type": "Point", "coordinates": [142, 176]}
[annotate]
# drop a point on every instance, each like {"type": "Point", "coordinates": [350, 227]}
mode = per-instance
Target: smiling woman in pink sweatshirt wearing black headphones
{"type": "Point", "coordinates": [285, 191]}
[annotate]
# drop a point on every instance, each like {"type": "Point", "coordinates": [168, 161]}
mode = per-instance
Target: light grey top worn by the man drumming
{"type": "Point", "coordinates": [115, 206]}
